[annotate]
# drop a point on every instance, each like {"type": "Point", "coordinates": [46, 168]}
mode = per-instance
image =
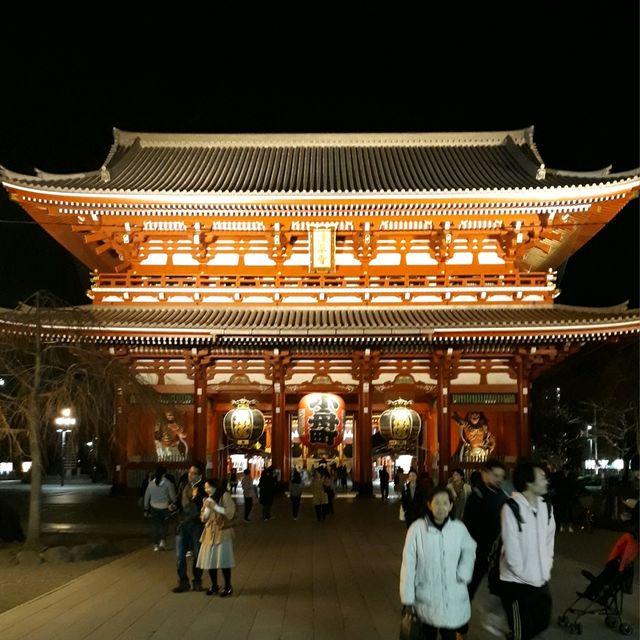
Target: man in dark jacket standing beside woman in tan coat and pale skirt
{"type": "Point", "coordinates": [190, 497]}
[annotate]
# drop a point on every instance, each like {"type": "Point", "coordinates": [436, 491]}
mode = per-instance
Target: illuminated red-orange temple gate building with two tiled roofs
{"type": "Point", "coordinates": [375, 267]}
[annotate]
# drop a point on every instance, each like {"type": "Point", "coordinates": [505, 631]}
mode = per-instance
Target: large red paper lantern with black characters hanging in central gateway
{"type": "Point", "coordinates": [321, 420]}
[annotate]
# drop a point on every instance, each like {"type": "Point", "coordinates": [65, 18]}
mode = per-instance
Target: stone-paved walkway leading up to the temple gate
{"type": "Point", "coordinates": [294, 580]}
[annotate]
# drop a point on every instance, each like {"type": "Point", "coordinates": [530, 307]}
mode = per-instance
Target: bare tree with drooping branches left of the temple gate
{"type": "Point", "coordinates": [48, 361]}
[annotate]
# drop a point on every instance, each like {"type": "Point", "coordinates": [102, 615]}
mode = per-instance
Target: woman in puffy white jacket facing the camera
{"type": "Point", "coordinates": [437, 565]}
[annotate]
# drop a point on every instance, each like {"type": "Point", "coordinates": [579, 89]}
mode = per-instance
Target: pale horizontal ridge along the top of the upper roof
{"type": "Point", "coordinates": [459, 138]}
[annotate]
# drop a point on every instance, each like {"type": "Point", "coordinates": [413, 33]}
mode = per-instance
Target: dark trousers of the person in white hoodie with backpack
{"type": "Point", "coordinates": [528, 609]}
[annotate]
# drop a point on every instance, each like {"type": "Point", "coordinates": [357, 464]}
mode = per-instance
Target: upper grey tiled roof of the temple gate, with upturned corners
{"type": "Point", "coordinates": [317, 164]}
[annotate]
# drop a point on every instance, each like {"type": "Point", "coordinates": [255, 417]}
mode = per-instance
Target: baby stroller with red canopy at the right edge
{"type": "Point", "coordinates": [604, 593]}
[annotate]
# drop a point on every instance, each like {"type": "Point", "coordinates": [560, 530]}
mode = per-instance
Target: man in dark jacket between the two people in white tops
{"type": "Point", "coordinates": [482, 517]}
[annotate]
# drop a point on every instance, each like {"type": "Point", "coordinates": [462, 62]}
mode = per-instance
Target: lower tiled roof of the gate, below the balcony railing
{"type": "Point", "coordinates": [307, 325]}
